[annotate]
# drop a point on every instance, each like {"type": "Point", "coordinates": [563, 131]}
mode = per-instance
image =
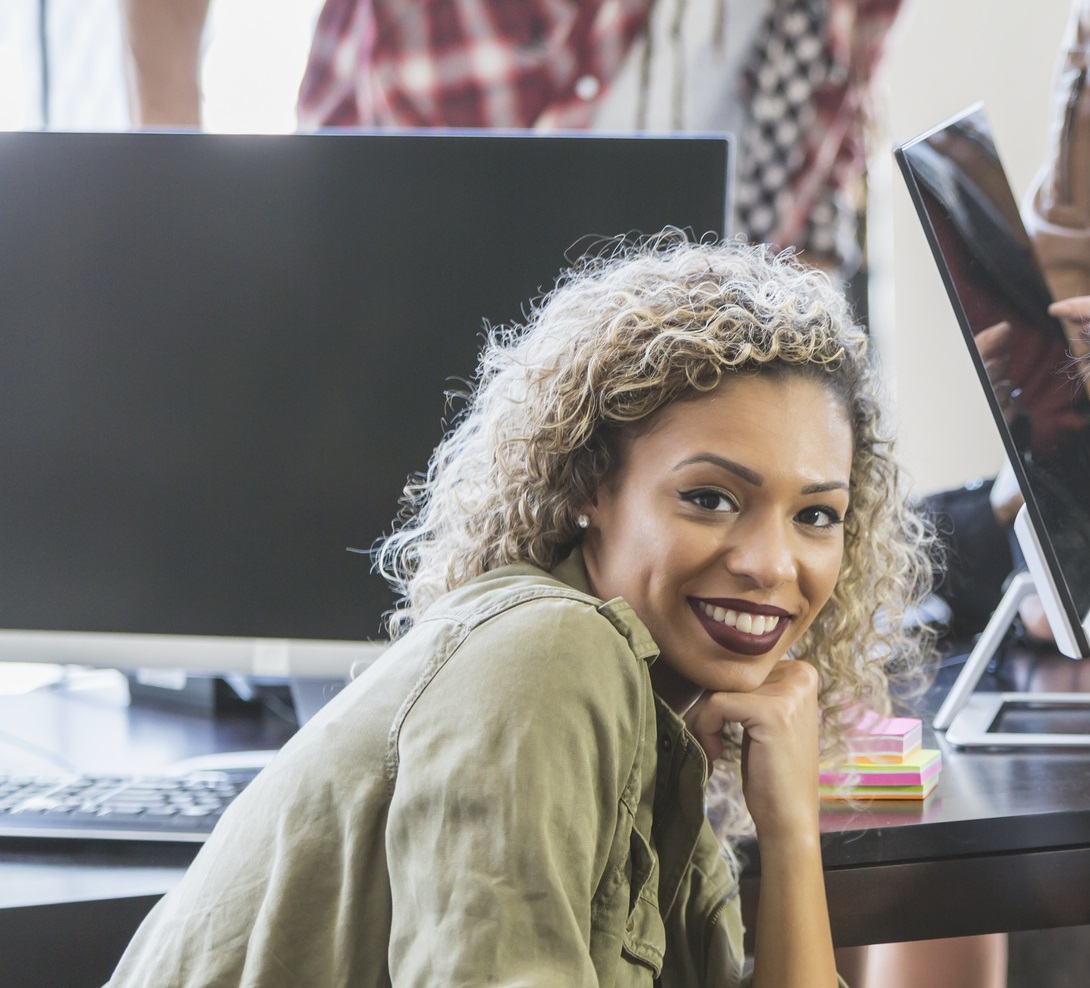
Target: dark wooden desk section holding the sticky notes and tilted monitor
{"type": "Point", "coordinates": [1003, 845]}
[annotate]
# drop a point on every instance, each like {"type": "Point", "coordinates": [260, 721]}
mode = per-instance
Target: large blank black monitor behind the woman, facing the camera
{"type": "Point", "coordinates": [223, 356]}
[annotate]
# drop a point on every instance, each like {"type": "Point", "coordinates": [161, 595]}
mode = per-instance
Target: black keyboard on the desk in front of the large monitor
{"type": "Point", "coordinates": [146, 809]}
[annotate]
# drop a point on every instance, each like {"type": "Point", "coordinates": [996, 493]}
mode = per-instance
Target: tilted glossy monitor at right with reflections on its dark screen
{"type": "Point", "coordinates": [1035, 388]}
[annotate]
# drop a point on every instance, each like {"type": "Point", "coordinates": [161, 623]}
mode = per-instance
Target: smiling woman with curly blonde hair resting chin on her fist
{"type": "Point", "coordinates": [667, 515]}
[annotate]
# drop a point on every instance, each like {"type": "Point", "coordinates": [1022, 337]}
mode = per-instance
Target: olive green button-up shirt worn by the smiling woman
{"type": "Point", "coordinates": [501, 800]}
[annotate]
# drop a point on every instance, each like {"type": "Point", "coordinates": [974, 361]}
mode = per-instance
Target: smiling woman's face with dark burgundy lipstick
{"type": "Point", "coordinates": [723, 529]}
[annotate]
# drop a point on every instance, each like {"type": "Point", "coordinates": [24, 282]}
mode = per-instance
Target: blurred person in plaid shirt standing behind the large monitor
{"type": "Point", "coordinates": [790, 78]}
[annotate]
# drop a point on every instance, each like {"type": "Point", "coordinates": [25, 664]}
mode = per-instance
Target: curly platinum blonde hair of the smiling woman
{"type": "Point", "coordinates": [616, 341]}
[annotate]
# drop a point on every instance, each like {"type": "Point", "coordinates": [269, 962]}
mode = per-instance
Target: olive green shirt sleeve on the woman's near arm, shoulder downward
{"type": "Point", "coordinates": [512, 765]}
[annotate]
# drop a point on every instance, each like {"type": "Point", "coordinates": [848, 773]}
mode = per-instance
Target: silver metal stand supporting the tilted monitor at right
{"type": "Point", "coordinates": [968, 719]}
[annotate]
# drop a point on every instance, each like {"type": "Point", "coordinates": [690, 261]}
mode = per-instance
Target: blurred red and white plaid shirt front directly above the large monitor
{"type": "Point", "coordinates": [466, 64]}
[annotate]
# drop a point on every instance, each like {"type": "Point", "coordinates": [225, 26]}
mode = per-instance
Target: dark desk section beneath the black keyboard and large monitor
{"type": "Point", "coordinates": [68, 909]}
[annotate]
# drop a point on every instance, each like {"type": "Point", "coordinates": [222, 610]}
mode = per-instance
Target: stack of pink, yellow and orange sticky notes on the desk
{"type": "Point", "coordinates": [888, 763]}
